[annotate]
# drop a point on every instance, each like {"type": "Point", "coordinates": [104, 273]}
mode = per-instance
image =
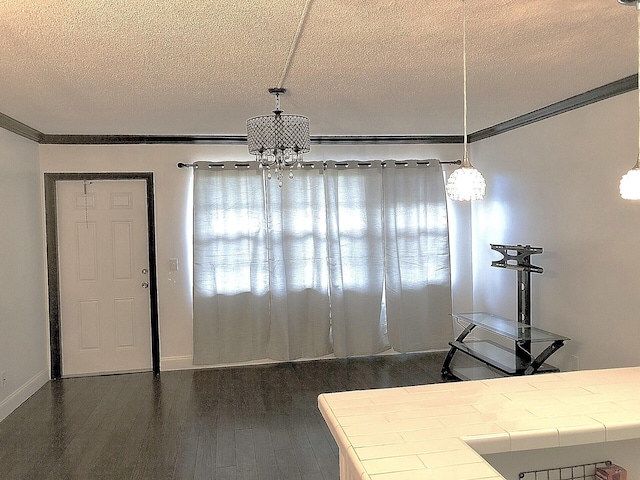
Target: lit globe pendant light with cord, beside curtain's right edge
{"type": "Point", "coordinates": [466, 182]}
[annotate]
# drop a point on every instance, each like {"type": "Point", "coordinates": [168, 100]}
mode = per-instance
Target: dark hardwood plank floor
{"type": "Point", "coordinates": [259, 422]}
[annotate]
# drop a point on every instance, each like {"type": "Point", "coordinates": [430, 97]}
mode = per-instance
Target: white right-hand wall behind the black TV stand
{"type": "Point", "coordinates": [554, 184]}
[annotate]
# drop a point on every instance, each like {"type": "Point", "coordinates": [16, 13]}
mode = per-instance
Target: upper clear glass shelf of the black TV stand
{"type": "Point", "coordinates": [517, 331]}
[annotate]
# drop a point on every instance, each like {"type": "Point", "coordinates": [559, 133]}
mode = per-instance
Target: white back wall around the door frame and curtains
{"type": "Point", "coordinates": [173, 215]}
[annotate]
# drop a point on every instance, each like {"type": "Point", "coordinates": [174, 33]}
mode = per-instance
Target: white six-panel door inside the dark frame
{"type": "Point", "coordinates": [104, 296]}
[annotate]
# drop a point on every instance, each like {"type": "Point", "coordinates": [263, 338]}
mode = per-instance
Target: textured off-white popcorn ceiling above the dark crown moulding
{"type": "Point", "coordinates": [361, 67]}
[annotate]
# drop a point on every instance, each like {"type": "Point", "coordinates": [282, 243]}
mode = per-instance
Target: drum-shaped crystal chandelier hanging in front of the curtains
{"type": "Point", "coordinates": [278, 141]}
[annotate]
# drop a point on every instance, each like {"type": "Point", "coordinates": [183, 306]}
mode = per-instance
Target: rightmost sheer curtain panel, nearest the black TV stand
{"type": "Point", "coordinates": [417, 268]}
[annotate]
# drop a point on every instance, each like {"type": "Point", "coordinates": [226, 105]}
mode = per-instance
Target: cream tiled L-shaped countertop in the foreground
{"type": "Point", "coordinates": [438, 431]}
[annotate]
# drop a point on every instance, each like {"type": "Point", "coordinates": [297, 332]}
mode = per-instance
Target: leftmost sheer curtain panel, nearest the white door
{"type": "Point", "coordinates": [231, 268]}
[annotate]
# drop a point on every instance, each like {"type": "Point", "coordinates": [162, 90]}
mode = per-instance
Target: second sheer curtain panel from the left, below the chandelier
{"type": "Point", "coordinates": [298, 274]}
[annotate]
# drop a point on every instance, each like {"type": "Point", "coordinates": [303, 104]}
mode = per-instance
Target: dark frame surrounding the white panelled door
{"type": "Point", "coordinates": [53, 272]}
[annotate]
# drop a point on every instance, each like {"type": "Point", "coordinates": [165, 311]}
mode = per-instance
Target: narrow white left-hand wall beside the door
{"type": "Point", "coordinates": [23, 333]}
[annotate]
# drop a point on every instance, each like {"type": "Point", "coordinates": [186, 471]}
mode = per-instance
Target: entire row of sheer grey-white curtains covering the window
{"type": "Point", "coordinates": [344, 259]}
